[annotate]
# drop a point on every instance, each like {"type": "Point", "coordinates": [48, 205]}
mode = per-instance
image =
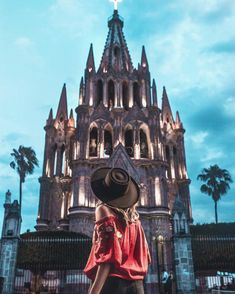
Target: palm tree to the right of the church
{"type": "Point", "coordinates": [217, 182]}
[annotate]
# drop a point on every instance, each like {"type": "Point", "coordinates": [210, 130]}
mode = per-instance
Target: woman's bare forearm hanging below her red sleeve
{"type": "Point", "coordinates": [101, 276]}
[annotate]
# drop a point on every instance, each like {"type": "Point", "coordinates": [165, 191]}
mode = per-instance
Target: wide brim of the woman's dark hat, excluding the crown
{"type": "Point", "coordinates": [128, 199]}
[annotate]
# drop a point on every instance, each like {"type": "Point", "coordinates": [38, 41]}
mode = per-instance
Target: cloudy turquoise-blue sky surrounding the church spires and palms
{"type": "Point", "coordinates": [190, 47]}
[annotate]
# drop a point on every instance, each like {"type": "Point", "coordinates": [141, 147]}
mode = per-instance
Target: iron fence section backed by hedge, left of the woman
{"type": "Point", "coordinates": [52, 263]}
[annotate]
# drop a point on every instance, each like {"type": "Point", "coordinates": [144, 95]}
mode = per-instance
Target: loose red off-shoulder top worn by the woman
{"type": "Point", "coordinates": [124, 246]}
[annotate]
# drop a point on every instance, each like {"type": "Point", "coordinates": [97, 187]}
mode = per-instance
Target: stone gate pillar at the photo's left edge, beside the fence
{"type": "Point", "coordinates": [9, 245]}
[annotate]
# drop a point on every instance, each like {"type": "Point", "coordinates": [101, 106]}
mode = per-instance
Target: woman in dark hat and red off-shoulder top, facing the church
{"type": "Point", "coordinates": [119, 257]}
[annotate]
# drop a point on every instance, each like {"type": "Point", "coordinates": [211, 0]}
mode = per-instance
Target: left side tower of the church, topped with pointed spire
{"type": "Point", "coordinates": [55, 183]}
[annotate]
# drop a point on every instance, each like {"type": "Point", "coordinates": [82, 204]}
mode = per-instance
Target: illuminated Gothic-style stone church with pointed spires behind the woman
{"type": "Point", "coordinates": [118, 123]}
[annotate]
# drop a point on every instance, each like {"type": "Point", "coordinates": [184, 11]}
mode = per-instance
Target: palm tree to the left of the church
{"type": "Point", "coordinates": [24, 162]}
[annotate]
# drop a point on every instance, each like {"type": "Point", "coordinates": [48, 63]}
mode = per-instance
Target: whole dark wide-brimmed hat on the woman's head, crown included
{"type": "Point", "coordinates": [115, 187]}
